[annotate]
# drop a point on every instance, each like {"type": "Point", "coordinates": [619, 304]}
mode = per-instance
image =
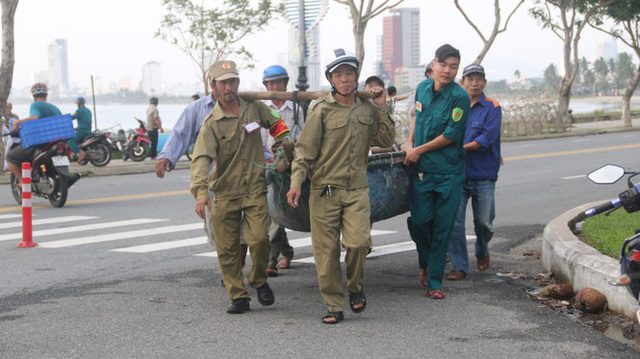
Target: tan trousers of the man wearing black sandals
{"type": "Point", "coordinates": [348, 210]}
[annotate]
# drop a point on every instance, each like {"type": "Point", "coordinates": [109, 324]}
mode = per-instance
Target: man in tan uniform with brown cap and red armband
{"type": "Point", "coordinates": [230, 141]}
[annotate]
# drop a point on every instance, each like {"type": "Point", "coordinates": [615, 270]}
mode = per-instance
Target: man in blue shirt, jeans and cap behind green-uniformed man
{"type": "Point", "coordinates": [482, 145]}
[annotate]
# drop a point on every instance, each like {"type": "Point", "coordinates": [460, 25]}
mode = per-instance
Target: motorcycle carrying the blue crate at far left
{"type": "Point", "coordinates": [50, 177]}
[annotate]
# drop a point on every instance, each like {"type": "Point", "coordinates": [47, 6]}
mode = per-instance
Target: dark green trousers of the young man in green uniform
{"type": "Point", "coordinates": [434, 203]}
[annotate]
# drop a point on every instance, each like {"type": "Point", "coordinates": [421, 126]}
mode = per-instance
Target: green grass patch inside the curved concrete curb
{"type": "Point", "coordinates": [606, 233]}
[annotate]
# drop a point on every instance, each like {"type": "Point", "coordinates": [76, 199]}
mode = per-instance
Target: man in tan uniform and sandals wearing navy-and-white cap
{"type": "Point", "coordinates": [333, 151]}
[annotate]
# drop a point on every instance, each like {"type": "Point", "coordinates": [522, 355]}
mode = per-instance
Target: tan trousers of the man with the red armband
{"type": "Point", "coordinates": [227, 219]}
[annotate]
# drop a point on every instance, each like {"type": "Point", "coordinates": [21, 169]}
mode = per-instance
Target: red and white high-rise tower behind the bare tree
{"type": "Point", "coordinates": [400, 40]}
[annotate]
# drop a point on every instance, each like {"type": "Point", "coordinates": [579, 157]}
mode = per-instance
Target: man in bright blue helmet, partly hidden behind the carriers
{"type": "Point", "coordinates": [276, 78]}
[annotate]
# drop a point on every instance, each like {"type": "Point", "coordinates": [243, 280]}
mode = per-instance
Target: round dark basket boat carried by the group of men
{"type": "Point", "coordinates": [388, 181]}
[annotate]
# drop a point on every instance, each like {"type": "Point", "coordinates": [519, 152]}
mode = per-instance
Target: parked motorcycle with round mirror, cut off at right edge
{"type": "Point", "coordinates": [630, 201]}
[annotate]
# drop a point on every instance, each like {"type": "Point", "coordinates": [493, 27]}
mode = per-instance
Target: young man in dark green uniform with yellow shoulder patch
{"type": "Point", "coordinates": [436, 149]}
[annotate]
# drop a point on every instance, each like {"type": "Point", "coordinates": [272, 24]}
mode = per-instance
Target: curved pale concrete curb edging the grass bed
{"type": "Point", "coordinates": [575, 262]}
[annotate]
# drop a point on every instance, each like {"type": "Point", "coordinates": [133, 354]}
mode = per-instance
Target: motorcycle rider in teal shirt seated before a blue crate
{"type": "Point", "coordinates": [40, 108]}
